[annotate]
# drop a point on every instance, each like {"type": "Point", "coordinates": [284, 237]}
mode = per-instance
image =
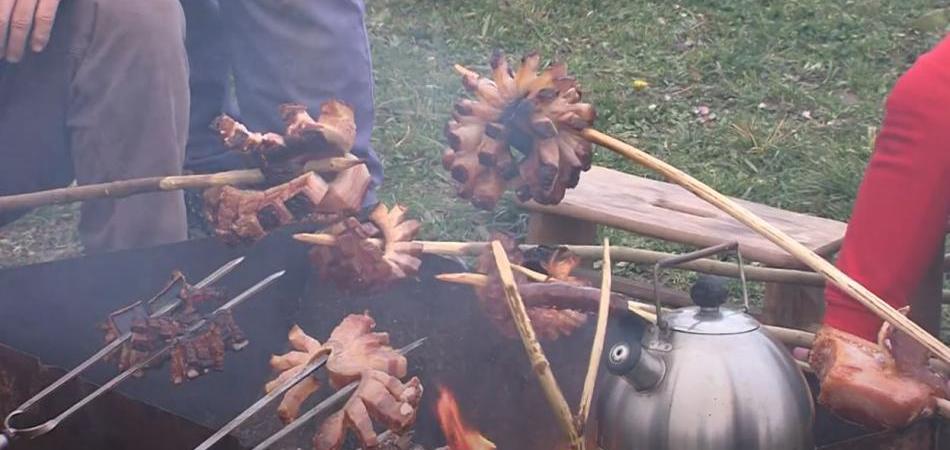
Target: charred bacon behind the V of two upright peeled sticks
{"type": "Point", "coordinates": [550, 316]}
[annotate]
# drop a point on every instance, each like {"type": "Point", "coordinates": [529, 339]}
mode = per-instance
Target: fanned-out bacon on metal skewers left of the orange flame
{"type": "Point", "coordinates": [355, 353]}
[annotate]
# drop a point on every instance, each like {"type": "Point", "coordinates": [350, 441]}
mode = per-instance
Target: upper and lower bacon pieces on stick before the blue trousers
{"type": "Point", "coordinates": [297, 193]}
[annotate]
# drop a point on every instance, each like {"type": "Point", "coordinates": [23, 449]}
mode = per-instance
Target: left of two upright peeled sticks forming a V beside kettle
{"type": "Point", "coordinates": [539, 362]}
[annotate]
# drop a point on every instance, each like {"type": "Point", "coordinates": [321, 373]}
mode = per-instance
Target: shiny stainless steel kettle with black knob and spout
{"type": "Point", "coordinates": [704, 377]}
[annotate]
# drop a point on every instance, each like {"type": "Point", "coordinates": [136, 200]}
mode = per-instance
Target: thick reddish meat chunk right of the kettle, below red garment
{"type": "Point", "coordinates": [860, 382]}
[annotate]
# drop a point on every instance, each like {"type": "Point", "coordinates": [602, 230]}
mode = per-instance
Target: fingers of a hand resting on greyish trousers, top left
{"type": "Point", "coordinates": [22, 22]}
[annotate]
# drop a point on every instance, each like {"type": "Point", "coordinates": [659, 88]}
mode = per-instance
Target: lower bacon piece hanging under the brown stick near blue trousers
{"type": "Point", "coordinates": [239, 215]}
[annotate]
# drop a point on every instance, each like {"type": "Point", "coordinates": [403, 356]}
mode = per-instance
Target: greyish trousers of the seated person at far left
{"type": "Point", "coordinates": [107, 100]}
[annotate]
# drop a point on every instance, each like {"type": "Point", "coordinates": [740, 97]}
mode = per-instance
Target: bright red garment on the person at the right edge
{"type": "Point", "coordinates": [900, 216]}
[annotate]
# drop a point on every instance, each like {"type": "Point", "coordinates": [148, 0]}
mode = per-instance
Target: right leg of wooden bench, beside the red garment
{"type": "Point", "coordinates": [793, 306]}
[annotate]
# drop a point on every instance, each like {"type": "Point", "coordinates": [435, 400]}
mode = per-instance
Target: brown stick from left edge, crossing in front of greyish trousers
{"type": "Point", "coordinates": [125, 188]}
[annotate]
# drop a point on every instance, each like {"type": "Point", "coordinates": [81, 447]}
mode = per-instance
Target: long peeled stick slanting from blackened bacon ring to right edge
{"type": "Point", "coordinates": [776, 236]}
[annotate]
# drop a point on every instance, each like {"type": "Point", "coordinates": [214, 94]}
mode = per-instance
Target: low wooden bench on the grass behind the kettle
{"type": "Point", "coordinates": [669, 212]}
